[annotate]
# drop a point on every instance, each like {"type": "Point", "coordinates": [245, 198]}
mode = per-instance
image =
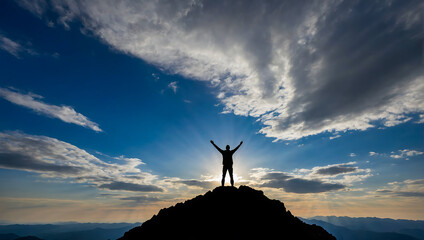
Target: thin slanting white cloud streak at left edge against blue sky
{"type": "Point", "coordinates": [64, 113]}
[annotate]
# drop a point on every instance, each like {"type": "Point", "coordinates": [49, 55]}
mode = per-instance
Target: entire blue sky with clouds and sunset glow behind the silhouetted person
{"type": "Point", "coordinates": [107, 110]}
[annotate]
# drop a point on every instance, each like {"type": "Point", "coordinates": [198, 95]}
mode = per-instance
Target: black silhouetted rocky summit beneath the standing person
{"type": "Point", "coordinates": [227, 213]}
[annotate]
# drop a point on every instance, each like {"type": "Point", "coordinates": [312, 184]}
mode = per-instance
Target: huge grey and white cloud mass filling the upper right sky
{"type": "Point", "coordinates": [290, 71]}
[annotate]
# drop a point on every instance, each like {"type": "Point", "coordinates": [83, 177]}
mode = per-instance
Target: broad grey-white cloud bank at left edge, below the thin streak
{"type": "Point", "coordinates": [53, 158]}
